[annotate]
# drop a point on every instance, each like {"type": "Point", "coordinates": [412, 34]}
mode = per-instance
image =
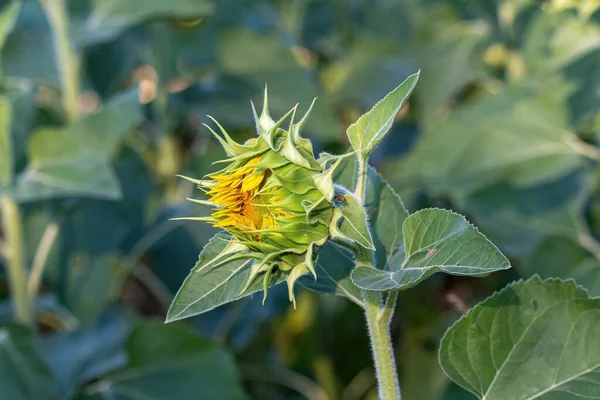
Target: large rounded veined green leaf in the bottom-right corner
{"type": "Point", "coordinates": [532, 340]}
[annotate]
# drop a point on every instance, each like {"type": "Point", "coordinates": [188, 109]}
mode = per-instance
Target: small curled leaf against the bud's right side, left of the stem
{"type": "Point", "coordinates": [350, 220]}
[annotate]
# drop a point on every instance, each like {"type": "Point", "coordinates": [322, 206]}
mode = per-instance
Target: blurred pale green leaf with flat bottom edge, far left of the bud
{"type": "Point", "coordinates": [62, 164]}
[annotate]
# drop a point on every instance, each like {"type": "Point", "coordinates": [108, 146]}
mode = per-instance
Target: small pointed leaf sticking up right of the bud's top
{"type": "Point", "coordinates": [366, 133]}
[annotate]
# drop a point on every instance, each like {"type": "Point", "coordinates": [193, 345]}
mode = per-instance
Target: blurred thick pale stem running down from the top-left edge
{"type": "Point", "coordinates": [67, 63]}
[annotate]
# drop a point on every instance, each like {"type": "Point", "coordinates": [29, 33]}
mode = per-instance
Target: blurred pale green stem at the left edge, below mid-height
{"type": "Point", "coordinates": [17, 275]}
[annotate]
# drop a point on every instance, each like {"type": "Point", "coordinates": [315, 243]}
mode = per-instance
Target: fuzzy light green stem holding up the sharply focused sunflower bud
{"type": "Point", "coordinates": [378, 316]}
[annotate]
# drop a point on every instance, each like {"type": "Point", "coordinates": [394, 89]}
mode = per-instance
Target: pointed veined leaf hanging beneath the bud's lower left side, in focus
{"type": "Point", "coordinates": [211, 284]}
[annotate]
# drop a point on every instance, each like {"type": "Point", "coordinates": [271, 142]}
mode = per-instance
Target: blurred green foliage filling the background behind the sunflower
{"type": "Point", "coordinates": [503, 127]}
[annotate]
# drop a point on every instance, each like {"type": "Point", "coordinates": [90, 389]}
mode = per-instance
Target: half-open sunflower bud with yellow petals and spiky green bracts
{"type": "Point", "coordinates": [273, 197]}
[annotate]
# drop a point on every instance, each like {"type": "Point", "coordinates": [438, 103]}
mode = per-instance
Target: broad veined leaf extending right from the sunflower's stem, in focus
{"type": "Point", "coordinates": [434, 241]}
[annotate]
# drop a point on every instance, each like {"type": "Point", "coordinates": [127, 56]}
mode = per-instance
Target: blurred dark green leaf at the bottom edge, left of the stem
{"type": "Point", "coordinates": [167, 359]}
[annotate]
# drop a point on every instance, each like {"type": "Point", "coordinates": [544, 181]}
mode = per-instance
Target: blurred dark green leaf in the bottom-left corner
{"type": "Point", "coordinates": [23, 374]}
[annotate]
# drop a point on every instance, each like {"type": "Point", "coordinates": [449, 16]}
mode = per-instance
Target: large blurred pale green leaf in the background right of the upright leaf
{"type": "Point", "coordinates": [513, 136]}
